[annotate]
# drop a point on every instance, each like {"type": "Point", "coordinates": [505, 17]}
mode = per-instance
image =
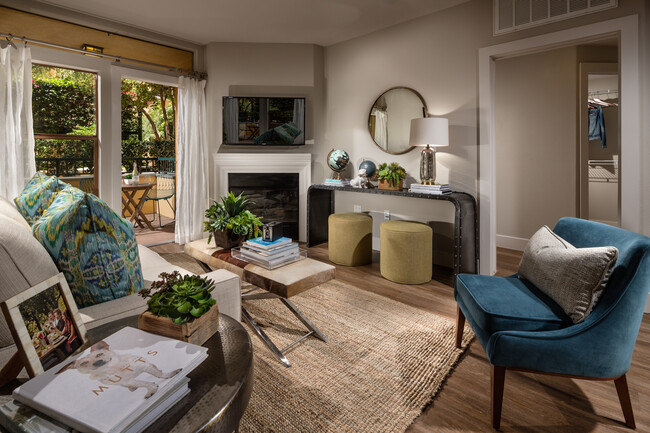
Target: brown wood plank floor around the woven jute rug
{"type": "Point", "coordinates": [532, 403]}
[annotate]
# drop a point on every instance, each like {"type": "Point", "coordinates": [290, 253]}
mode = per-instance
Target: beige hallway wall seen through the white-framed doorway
{"type": "Point", "coordinates": [535, 111]}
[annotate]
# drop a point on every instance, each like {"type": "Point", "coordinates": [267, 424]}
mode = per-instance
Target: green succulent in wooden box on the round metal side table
{"type": "Point", "coordinates": [180, 307]}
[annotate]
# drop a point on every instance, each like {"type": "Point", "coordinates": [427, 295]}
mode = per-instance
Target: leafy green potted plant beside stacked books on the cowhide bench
{"type": "Point", "coordinates": [230, 222]}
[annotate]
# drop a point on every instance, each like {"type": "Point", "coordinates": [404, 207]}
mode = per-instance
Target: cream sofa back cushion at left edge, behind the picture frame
{"type": "Point", "coordinates": [23, 264]}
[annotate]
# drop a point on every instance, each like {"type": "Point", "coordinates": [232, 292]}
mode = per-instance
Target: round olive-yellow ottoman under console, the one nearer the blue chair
{"type": "Point", "coordinates": [406, 252]}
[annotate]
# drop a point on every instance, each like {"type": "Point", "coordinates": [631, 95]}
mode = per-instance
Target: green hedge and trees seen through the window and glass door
{"type": "Point", "coordinates": [63, 102]}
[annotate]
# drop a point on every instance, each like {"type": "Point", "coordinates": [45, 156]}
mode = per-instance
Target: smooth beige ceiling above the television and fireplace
{"type": "Point", "coordinates": [322, 22]}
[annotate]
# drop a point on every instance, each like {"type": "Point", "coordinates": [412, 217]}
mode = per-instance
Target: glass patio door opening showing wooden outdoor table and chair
{"type": "Point", "coordinates": [149, 159]}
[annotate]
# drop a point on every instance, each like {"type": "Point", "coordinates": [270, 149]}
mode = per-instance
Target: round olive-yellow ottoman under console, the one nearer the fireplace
{"type": "Point", "coordinates": [350, 238]}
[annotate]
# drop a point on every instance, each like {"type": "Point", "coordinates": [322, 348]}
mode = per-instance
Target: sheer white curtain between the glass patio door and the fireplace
{"type": "Point", "coordinates": [192, 154]}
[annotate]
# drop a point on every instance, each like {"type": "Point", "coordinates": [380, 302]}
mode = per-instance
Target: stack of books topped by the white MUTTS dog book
{"type": "Point", "coordinates": [115, 383]}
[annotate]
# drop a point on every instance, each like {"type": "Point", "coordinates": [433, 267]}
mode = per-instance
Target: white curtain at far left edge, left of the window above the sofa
{"type": "Point", "coordinates": [17, 161]}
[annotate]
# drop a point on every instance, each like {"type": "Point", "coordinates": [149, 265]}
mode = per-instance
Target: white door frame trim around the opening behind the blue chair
{"type": "Point", "coordinates": [627, 31]}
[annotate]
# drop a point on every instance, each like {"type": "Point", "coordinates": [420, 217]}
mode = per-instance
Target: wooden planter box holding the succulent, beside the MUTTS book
{"type": "Point", "coordinates": [197, 331]}
